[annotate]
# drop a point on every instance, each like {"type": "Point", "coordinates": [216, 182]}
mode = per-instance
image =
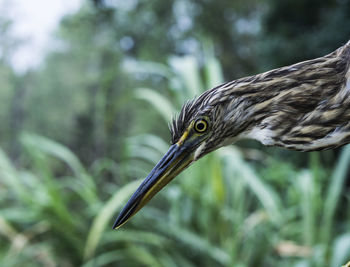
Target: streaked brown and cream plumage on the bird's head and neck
{"type": "Point", "coordinates": [305, 106]}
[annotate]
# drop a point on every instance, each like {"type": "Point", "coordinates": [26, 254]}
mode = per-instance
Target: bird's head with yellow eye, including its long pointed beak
{"type": "Point", "coordinates": [194, 134]}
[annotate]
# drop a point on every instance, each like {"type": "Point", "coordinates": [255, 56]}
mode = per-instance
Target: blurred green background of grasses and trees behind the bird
{"type": "Point", "coordinates": [87, 89]}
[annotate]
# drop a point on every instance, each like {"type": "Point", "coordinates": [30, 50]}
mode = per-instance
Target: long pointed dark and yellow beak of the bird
{"type": "Point", "coordinates": [173, 162]}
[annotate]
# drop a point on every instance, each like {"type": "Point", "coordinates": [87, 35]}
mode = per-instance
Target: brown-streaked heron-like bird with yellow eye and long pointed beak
{"type": "Point", "coordinates": [304, 107]}
